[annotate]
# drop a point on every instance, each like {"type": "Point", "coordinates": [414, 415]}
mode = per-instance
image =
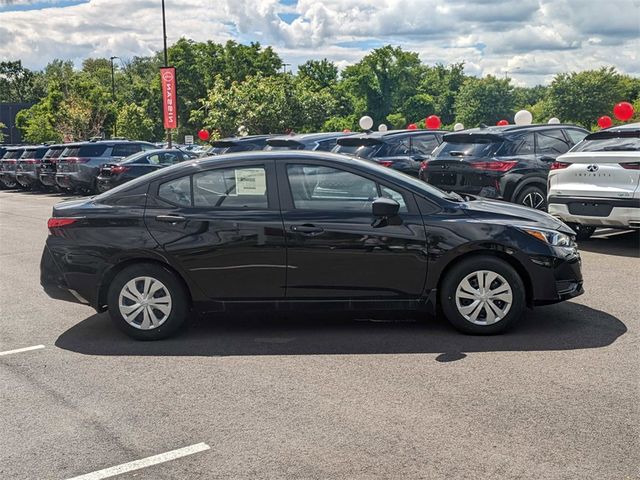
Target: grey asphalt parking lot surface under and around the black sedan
{"type": "Point", "coordinates": [318, 397]}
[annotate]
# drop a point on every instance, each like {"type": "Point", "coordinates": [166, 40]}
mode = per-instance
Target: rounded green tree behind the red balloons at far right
{"type": "Point", "coordinates": [582, 97]}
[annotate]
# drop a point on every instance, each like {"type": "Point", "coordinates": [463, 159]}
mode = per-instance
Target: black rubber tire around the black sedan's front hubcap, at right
{"type": "Point", "coordinates": [467, 267]}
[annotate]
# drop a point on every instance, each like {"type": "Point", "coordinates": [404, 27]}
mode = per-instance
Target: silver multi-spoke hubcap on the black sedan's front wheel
{"type": "Point", "coordinates": [484, 297]}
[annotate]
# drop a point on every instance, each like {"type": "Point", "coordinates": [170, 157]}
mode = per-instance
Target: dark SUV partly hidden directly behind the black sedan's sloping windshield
{"type": "Point", "coordinates": [401, 150]}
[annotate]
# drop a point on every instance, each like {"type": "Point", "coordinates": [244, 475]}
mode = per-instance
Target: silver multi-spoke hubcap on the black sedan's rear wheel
{"type": "Point", "coordinates": [145, 303]}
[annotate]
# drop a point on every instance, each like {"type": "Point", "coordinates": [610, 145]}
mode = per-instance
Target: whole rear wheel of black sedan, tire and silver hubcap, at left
{"type": "Point", "coordinates": [147, 302]}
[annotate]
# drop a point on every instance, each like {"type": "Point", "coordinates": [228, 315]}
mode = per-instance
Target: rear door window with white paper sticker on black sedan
{"type": "Point", "coordinates": [242, 187]}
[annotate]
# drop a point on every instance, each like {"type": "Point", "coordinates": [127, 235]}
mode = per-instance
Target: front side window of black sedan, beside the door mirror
{"type": "Point", "coordinates": [316, 187]}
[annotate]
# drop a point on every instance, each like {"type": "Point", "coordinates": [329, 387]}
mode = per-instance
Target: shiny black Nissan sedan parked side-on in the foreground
{"type": "Point", "coordinates": [298, 229]}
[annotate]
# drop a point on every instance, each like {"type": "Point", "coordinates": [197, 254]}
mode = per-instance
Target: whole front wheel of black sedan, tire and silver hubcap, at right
{"type": "Point", "coordinates": [482, 295]}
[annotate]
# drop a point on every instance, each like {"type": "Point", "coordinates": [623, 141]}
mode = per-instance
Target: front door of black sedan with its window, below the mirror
{"type": "Point", "coordinates": [334, 250]}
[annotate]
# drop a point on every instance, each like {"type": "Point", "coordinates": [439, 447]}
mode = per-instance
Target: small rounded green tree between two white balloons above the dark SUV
{"type": "Point", "coordinates": [484, 100]}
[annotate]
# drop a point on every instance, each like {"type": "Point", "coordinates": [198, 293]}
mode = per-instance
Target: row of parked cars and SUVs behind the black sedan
{"type": "Point", "coordinates": [511, 163]}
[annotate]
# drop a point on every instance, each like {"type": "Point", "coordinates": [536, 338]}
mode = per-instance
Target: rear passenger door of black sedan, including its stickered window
{"type": "Point", "coordinates": [224, 228]}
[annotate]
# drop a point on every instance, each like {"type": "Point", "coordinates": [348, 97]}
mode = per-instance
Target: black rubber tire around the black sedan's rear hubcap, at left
{"type": "Point", "coordinates": [179, 308]}
